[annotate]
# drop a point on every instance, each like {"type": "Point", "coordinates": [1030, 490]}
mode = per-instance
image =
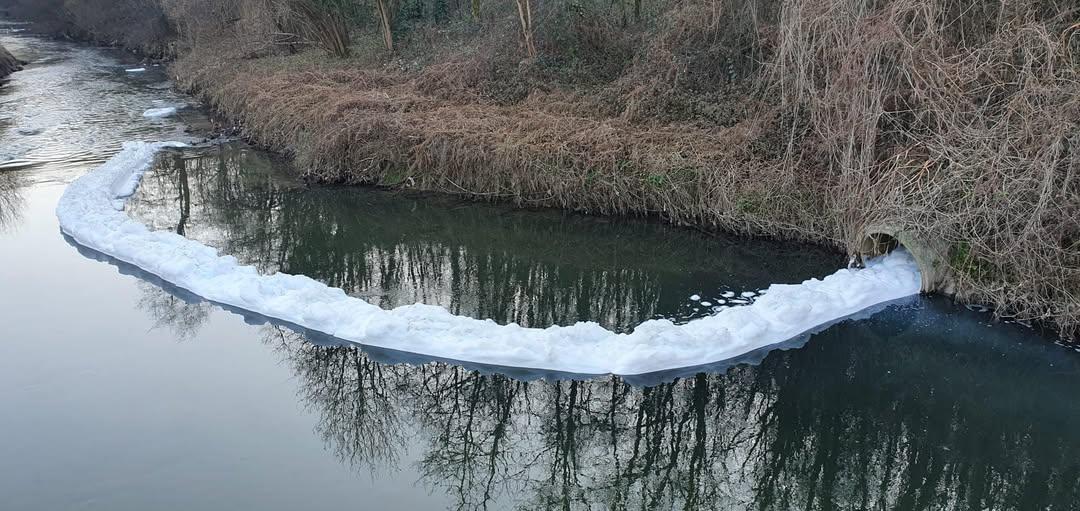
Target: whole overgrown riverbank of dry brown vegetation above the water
{"type": "Point", "coordinates": [953, 129]}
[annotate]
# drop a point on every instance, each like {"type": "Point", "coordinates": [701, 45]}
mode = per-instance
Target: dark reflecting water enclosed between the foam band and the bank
{"type": "Point", "coordinates": [535, 268]}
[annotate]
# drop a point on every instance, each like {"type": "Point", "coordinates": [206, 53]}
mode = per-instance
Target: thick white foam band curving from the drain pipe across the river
{"type": "Point", "coordinates": [91, 212]}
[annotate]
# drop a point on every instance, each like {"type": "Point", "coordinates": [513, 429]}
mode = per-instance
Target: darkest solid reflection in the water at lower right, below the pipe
{"type": "Point", "coordinates": [890, 436]}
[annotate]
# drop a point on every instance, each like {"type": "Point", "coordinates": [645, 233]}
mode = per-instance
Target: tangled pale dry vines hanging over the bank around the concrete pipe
{"type": "Point", "coordinates": [957, 122]}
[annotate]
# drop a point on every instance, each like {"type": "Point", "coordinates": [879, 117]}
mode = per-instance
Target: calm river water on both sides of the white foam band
{"type": "Point", "coordinates": [118, 393]}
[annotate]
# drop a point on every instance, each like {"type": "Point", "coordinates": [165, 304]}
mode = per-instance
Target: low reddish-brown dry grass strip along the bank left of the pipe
{"type": "Point", "coordinates": [379, 128]}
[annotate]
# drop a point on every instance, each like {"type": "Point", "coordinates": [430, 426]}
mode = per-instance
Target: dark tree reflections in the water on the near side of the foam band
{"type": "Point", "coordinates": [863, 418]}
